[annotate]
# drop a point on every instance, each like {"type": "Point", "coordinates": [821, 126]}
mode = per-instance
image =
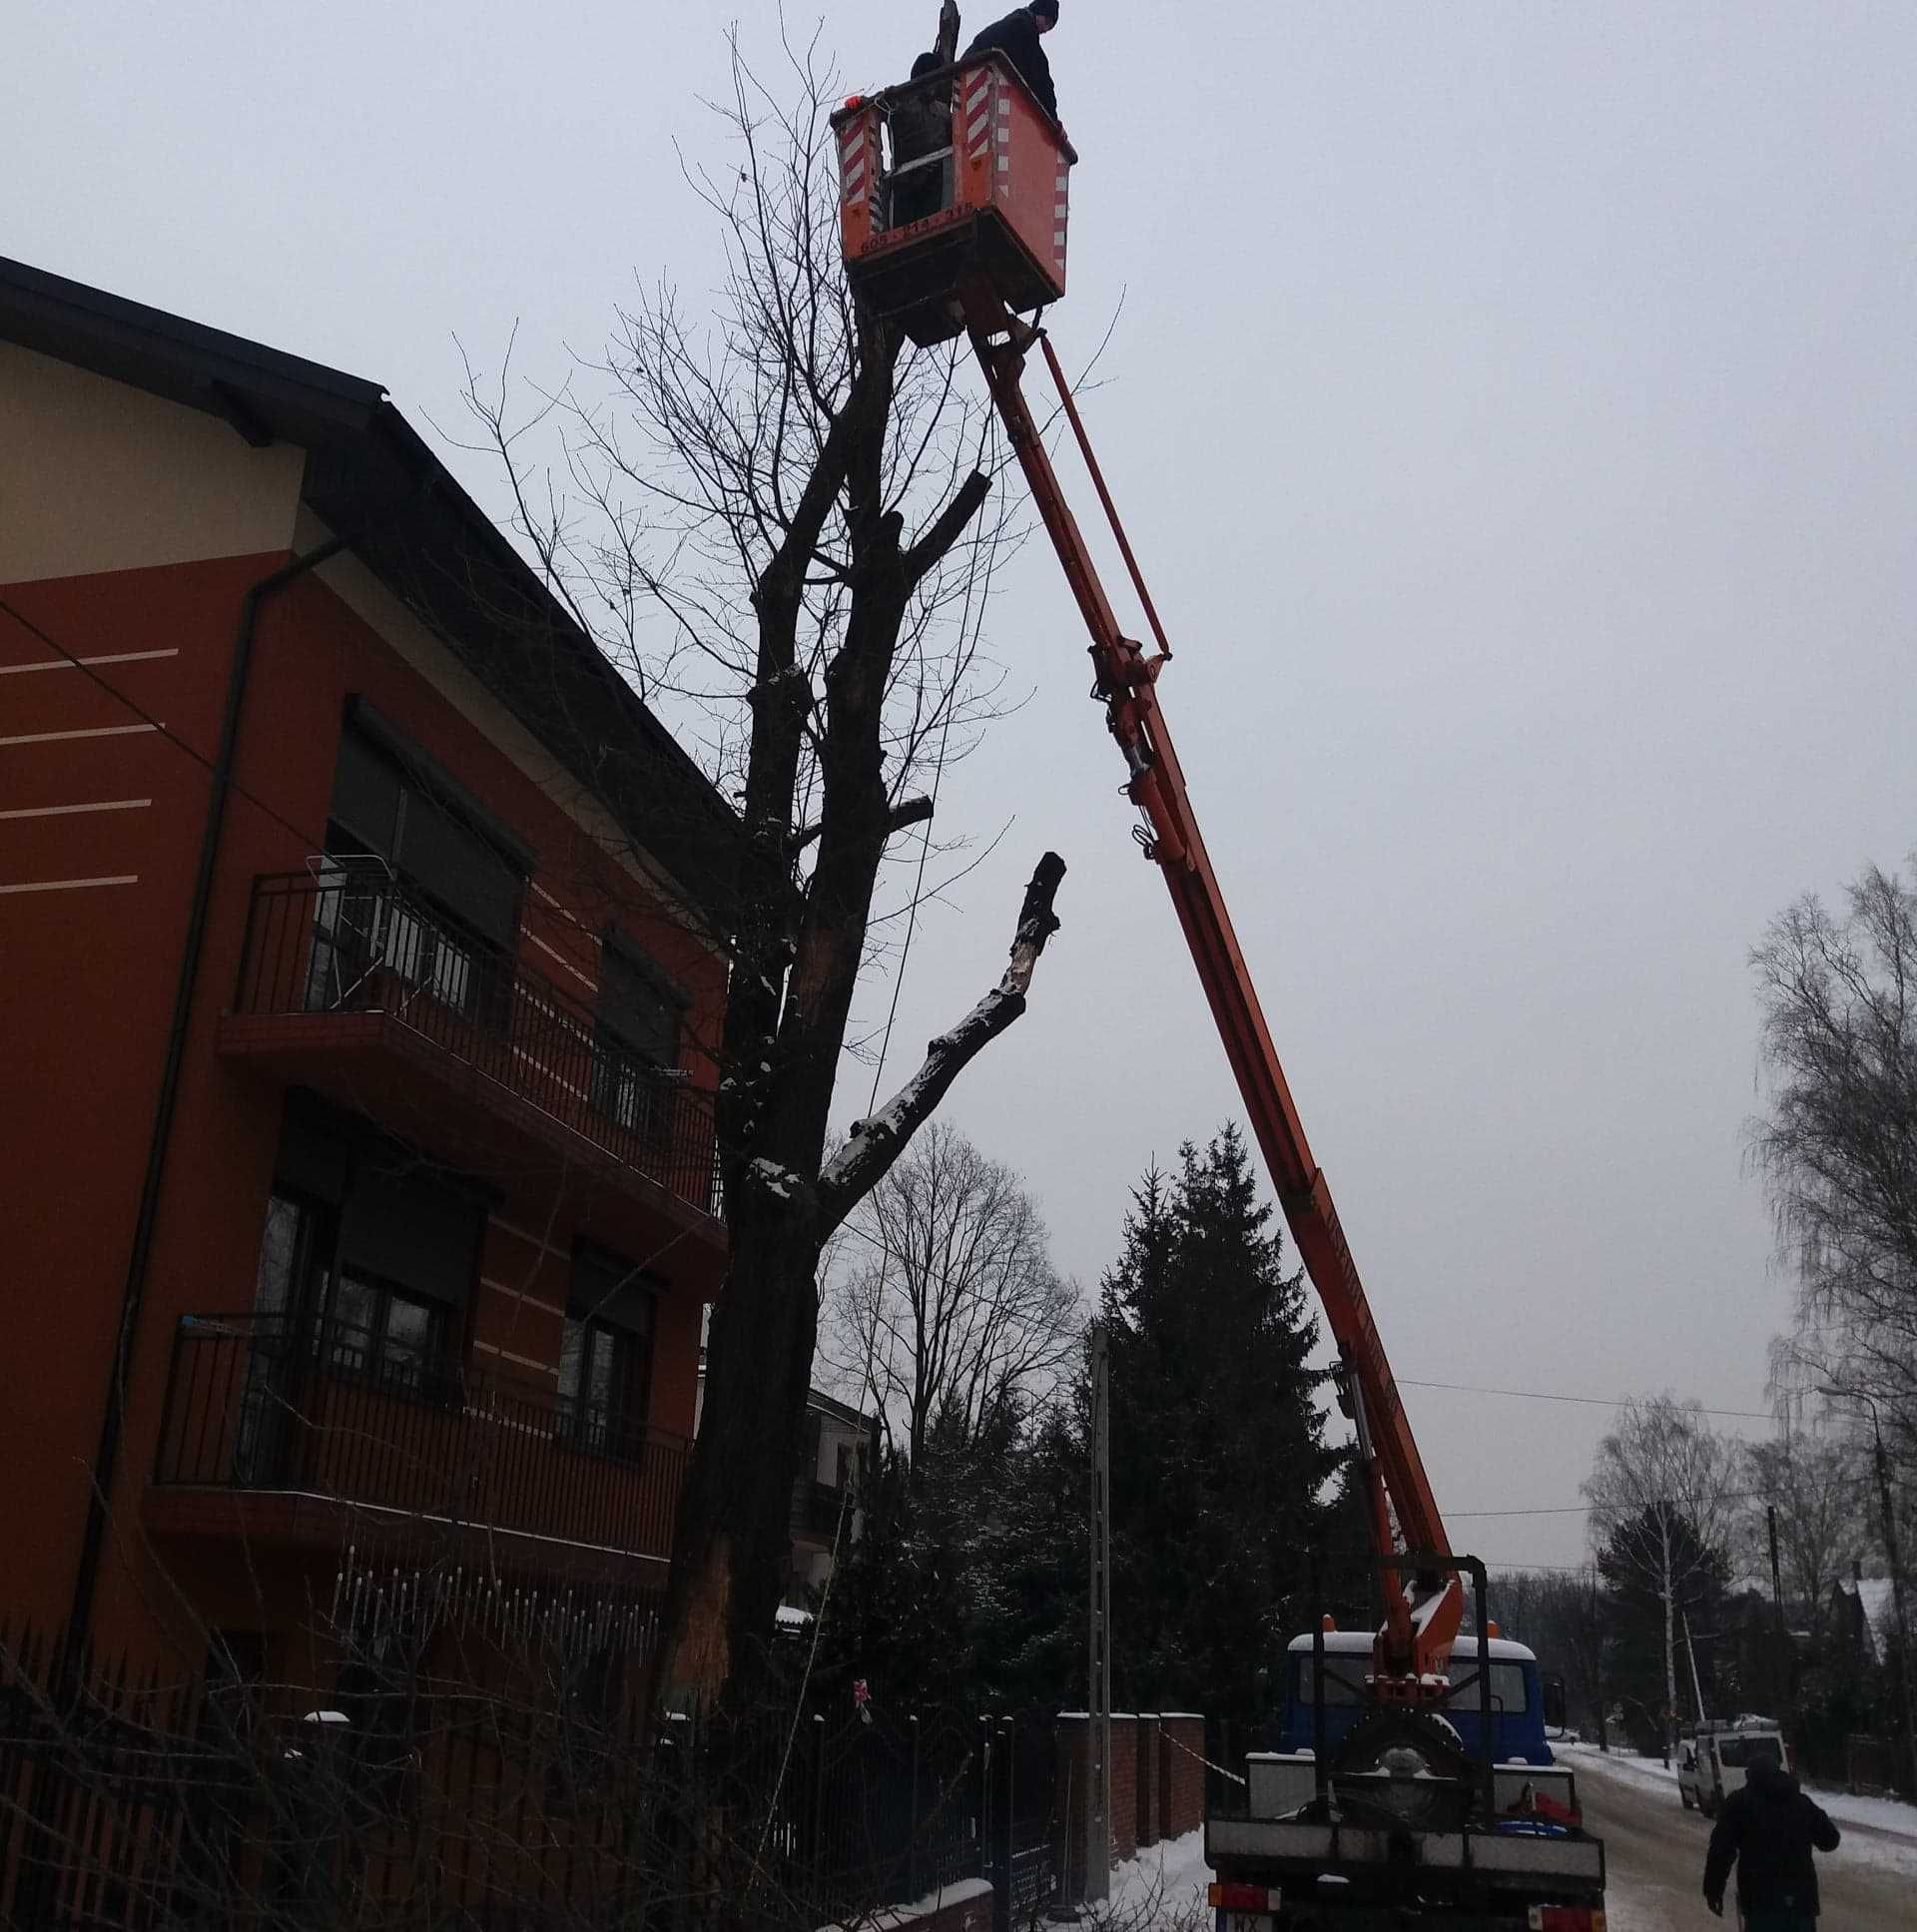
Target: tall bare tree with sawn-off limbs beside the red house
{"type": "Point", "coordinates": [774, 521]}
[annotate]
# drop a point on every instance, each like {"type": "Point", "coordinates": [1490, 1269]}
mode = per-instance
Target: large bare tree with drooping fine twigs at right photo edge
{"type": "Point", "coordinates": [1839, 1141]}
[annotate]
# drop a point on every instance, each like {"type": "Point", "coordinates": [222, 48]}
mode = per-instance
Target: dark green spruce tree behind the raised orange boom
{"type": "Point", "coordinates": [1218, 1452]}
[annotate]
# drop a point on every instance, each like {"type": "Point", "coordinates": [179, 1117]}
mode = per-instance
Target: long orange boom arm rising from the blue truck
{"type": "Point", "coordinates": [1421, 1616]}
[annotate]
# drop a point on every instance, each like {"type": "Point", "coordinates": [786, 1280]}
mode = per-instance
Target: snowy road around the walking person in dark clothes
{"type": "Point", "coordinates": [1655, 1852]}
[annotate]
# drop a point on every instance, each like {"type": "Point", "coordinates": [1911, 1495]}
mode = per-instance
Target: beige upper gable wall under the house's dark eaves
{"type": "Point", "coordinates": [101, 476]}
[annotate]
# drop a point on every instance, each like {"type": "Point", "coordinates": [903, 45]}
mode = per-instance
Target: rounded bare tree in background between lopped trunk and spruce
{"type": "Point", "coordinates": [948, 1307]}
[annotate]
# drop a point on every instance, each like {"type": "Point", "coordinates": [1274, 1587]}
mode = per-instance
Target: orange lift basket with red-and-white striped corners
{"type": "Point", "coordinates": [988, 204]}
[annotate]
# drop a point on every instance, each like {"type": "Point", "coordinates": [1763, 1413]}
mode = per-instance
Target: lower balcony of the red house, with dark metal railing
{"type": "Point", "coordinates": [304, 1433]}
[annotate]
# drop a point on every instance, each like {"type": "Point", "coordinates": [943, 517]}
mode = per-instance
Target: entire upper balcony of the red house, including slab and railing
{"type": "Point", "coordinates": [351, 984]}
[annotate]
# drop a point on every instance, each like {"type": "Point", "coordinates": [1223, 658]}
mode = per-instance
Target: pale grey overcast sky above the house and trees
{"type": "Point", "coordinates": [1514, 411]}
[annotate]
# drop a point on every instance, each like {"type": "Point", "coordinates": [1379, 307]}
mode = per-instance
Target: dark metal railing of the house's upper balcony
{"type": "Point", "coordinates": [355, 940]}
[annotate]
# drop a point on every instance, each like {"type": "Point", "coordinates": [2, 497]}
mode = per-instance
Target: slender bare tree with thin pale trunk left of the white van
{"type": "Point", "coordinates": [1663, 1502]}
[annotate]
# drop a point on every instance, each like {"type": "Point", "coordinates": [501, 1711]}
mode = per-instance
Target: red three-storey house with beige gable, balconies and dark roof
{"type": "Point", "coordinates": [362, 942]}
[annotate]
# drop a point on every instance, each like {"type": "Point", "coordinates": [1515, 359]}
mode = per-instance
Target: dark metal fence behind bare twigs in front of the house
{"type": "Point", "coordinates": [215, 1805]}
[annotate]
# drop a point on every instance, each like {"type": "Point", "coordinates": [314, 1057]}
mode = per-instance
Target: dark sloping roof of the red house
{"type": "Point", "coordinates": [376, 482]}
